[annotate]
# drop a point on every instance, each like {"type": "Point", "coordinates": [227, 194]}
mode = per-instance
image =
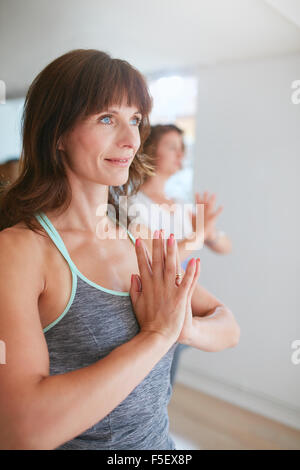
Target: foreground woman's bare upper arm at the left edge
{"type": "Point", "coordinates": [26, 353]}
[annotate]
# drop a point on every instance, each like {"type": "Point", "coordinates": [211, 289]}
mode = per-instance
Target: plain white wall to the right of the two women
{"type": "Point", "coordinates": [247, 151]}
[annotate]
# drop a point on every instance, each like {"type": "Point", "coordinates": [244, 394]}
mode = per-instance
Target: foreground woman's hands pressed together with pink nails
{"type": "Point", "coordinates": [160, 304]}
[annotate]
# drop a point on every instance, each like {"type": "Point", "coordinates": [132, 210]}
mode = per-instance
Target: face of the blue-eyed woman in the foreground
{"type": "Point", "coordinates": [111, 134]}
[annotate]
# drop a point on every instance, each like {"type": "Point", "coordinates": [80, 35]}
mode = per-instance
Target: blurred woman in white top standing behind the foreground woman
{"type": "Point", "coordinates": [166, 147]}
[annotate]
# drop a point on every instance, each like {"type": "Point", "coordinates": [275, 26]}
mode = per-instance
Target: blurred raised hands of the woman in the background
{"type": "Point", "coordinates": [210, 215]}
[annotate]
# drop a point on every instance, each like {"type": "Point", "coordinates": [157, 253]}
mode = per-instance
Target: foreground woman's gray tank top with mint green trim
{"type": "Point", "coordinates": [95, 321]}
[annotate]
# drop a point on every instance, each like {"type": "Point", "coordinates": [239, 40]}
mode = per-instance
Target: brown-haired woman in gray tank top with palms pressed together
{"type": "Point", "coordinates": [97, 375]}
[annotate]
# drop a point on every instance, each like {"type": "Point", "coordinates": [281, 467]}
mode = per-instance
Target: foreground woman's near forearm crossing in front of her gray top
{"type": "Point", "coordinates": [63, 406]}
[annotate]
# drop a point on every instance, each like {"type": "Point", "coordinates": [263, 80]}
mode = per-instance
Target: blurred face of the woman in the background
{"type": "Point", "coordinates": [169, 153]}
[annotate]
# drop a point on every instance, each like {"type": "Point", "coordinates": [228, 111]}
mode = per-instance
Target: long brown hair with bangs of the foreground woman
{"type": "Point", "coordinates": [73, 86]}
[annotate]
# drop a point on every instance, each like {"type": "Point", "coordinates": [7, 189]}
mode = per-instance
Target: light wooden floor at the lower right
{"type": "Point", "coordinates": [200, 421]}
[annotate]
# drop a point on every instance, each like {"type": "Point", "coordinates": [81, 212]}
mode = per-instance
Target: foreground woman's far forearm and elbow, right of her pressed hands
{"type": "Point", "coordinates": [215, 331]}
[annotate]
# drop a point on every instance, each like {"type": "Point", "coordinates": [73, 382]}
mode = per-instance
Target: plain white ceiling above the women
{"type": "Point", "coordinates": [154, 35]}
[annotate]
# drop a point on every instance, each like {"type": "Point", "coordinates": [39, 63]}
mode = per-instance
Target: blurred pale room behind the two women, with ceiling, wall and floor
{"type": "Point", "coordinates": [228, 73]}
